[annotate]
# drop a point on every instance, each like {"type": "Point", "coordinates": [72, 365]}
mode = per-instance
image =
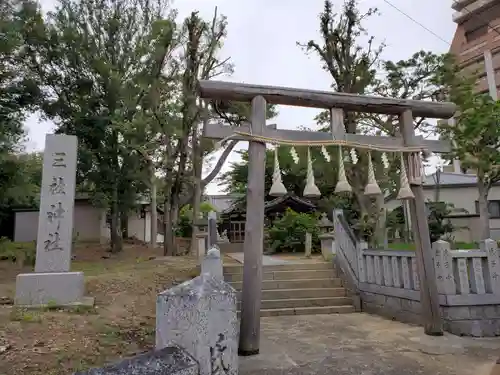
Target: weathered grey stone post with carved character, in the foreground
{"type": "Point", "coordinates": [201, 316]}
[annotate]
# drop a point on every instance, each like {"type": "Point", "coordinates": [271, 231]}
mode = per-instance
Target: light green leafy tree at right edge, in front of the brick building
{"type": "Point", "coordinates": [474, 133]}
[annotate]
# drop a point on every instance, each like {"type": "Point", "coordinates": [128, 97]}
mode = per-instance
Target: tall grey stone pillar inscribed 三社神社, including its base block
{"type": "Point", "coordinates": [52, 281]}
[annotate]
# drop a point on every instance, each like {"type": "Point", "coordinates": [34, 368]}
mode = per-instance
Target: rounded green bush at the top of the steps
{"type": "Point", "coordinates": [288, 233]}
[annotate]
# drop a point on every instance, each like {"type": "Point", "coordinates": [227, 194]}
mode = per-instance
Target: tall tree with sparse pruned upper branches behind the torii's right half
{"type": "Point", "coordinates": [353, 68]}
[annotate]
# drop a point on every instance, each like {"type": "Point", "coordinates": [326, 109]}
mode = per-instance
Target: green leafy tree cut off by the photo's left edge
{"type": "Point", "coordinates": [19, 174]}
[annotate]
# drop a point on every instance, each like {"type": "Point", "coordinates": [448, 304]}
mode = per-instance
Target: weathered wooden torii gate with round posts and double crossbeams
{"type": "Point", "coordinates": [257, 133]}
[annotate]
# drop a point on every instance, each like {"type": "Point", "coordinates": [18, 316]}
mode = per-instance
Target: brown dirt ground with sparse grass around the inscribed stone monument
{"type": "Point", "coordinates": [125, 286]}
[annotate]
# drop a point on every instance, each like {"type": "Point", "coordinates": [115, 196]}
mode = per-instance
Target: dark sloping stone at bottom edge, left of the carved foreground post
{"type": "Point", "coordinates": [171, 360]}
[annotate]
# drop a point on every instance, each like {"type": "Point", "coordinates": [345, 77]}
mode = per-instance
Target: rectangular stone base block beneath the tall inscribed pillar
{"type": "Point", "coordinates": [57, 288]}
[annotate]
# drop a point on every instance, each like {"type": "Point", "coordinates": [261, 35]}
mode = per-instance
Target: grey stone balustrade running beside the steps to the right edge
{"type": "Point", "coordinates": [387, 282]}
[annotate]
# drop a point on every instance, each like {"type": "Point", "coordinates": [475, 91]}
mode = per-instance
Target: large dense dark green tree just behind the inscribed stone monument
{"type": "Point", "coordinates": [96, 62]}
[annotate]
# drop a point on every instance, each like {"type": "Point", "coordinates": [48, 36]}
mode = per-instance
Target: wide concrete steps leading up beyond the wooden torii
{"type": "Point", "coordinates": [297, 289]}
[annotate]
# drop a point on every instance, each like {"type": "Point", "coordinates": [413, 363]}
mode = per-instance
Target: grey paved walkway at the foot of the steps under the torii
{"type": "Point", "coordinates": [362, 344]}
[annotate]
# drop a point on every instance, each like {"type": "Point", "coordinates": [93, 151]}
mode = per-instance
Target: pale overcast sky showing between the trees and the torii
{"type": "Point", "coordinates": [262, 38]}
